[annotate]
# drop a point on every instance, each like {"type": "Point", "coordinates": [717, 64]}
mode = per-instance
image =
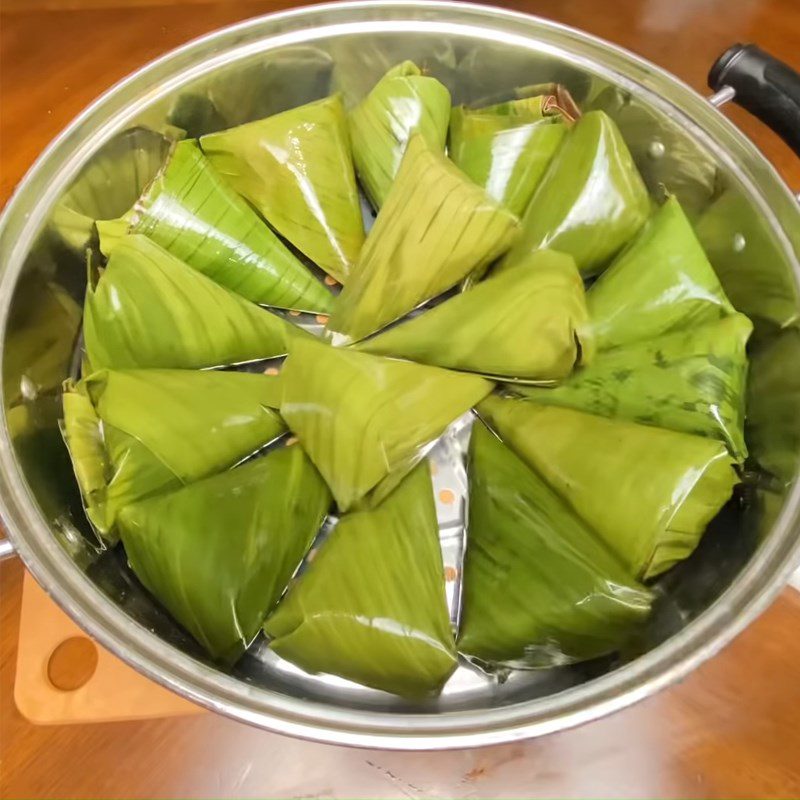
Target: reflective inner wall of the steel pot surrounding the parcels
{"type": "Point", "coordinates": [44, 325]}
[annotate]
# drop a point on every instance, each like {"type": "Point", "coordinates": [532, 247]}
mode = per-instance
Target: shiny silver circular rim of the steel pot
{"type": "Point", "coordinates": [754, 589]}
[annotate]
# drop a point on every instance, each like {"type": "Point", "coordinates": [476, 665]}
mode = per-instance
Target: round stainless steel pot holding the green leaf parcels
{"type": "Point", "coordinates": [749, 222]}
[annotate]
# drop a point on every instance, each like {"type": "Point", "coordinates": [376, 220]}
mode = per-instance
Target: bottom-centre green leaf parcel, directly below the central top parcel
{"type": "Point", "coordinates": [371, 605]}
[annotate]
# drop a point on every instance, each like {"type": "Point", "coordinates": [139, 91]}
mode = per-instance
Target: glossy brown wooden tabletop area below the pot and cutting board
{"type": "Point", "coordinates": [729, 731]}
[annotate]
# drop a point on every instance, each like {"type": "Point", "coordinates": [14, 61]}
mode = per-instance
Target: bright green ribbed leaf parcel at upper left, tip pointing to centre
{"type": "Point", "coordinates": [196, 216]}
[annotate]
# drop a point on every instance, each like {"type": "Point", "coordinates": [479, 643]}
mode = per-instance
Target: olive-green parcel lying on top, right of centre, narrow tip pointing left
{"type": "Point", "coordinates": [528, 323]}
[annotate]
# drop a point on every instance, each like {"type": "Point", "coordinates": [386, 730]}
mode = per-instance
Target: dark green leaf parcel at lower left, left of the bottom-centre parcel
{"type": "Point", "coordinates": [219, 553]}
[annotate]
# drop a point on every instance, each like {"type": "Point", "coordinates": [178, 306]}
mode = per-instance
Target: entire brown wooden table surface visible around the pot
{"type": "Point", "coordinates": [731, 730]}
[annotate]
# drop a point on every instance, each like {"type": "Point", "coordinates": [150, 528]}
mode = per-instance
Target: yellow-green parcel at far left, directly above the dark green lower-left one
{"type": "Point", "coordinates": [135, 433]}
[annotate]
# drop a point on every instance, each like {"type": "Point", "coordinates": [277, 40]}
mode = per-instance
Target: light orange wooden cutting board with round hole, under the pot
{"type": "Point", "coordinates": [63, 676]}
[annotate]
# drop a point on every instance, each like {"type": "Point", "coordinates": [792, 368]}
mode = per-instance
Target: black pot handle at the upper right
{"type": "Point", "coordinates": [763, 85]}
